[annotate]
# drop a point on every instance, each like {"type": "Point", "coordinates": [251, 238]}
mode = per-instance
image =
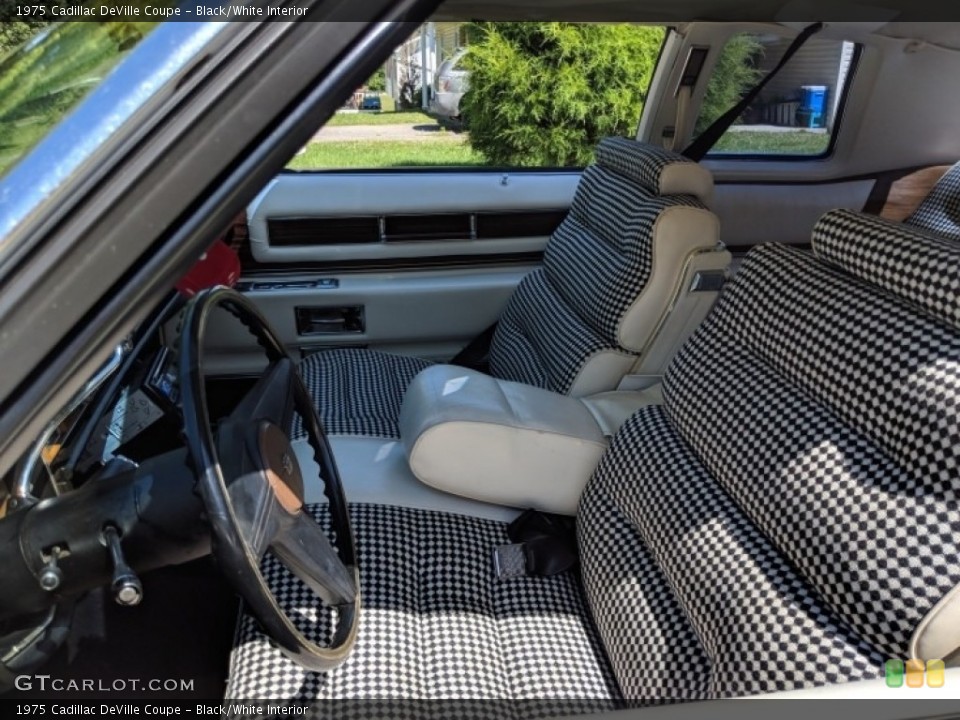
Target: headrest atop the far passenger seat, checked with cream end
{"type": "Point", "coordinates": [659, 171]}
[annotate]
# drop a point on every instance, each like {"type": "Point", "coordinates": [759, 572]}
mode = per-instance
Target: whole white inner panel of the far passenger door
{"type": "Point", "coordinates": [410, 262]}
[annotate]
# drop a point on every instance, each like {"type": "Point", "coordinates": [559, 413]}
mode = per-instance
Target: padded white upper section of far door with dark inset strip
{"type": "Point", "coordinates": [371, 216]}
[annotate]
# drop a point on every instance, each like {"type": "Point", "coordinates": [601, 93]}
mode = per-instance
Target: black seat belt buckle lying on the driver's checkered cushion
{"type": "Point", "coordinates": [543, 544]}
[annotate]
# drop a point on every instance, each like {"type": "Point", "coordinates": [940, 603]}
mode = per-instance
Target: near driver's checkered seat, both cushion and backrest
{"type": "Point", "coordinates": [789, 517]}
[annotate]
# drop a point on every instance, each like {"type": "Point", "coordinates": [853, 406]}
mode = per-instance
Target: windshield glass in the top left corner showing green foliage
{"type": "Point", "coordinates": [45, 78]}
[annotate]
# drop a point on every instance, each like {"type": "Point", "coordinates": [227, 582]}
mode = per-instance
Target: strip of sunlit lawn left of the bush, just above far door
{"type": "Point", "coordinates": [383, 154]}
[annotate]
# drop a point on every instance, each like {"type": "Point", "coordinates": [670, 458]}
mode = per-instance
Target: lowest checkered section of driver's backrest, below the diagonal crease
{"type": "Point", "coordinates": [703, 605]}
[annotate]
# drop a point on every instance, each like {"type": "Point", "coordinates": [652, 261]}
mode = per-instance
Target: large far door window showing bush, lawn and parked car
{"type": "Point", "coordinates": [504, 95]}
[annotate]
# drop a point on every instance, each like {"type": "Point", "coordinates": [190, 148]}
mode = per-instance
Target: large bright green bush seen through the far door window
{"type": "Point", "coordinates": [544, 94]}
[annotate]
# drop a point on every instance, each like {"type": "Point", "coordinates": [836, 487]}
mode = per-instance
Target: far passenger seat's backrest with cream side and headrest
{"type": "Point", "coordinates": [611, 271]}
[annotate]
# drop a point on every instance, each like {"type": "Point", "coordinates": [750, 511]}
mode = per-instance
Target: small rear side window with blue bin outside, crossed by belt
{"type": "Point", "coordinates": [797, 113]}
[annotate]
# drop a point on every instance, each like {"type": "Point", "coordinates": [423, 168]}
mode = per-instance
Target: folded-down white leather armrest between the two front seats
{"type": "Point", "coordinates": [502, 442]}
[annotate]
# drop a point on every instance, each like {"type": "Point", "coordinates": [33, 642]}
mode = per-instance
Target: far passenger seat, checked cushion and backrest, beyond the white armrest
{"type": "Point", "coordinates": [577, 325]}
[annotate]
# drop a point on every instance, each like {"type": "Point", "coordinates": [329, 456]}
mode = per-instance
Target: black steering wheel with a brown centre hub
{"type": "Point", "coordinates": [252, 487]}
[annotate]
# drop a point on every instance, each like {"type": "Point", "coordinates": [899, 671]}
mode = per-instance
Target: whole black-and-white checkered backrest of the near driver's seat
{"type": "Point", "coordinates": [790, 516]}
